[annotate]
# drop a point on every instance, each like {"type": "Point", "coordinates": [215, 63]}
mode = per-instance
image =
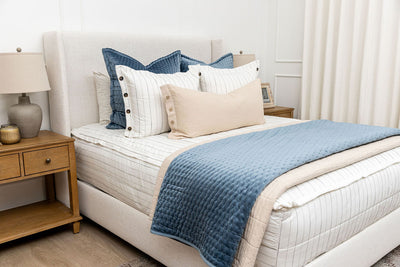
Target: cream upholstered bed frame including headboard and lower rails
{"type": "Point", "coordinates": [71, 57]}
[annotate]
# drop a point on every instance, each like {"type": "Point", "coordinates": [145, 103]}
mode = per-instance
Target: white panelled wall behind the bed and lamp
{"type": "Point", "coordinates": [251, 26]}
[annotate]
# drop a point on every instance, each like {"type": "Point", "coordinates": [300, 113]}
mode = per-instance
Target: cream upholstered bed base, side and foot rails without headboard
{"type": "Point", "coordinates": [363, 249]}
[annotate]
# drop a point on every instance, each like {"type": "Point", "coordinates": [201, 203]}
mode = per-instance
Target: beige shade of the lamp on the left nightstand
{"type": "Point", "coordinates": [22, 73]}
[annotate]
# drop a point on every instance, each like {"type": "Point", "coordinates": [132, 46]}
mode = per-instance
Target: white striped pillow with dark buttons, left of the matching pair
{"type": "Point", "coordinates": [144, 109]}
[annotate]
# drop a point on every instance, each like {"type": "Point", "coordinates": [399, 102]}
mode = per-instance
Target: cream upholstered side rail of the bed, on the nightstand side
{"type": "Point", "coordinates": [134, 227]}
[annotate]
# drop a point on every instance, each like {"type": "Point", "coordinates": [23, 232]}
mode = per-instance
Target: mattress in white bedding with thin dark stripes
{"type": "Point", "coordinates": [307, 220]}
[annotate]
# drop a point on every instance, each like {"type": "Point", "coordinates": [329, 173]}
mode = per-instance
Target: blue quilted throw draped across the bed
{"type": "Point", "coordinates": [208, 191]}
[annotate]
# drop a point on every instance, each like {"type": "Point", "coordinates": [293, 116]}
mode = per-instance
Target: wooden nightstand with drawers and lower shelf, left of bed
{"type": "Point", "coordinates": [45, 155]}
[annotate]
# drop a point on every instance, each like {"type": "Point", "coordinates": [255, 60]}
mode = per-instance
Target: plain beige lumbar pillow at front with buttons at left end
{"type": "Point", "coordinates": [192, 113]}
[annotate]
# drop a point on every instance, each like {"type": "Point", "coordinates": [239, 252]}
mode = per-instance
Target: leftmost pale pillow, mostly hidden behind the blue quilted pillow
{"type": "Point", "coordinates": [102, 84]}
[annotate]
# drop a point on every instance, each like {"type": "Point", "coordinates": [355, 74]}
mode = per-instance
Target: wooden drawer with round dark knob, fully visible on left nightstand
{"type": "Point", "coordinates": [46, 160]}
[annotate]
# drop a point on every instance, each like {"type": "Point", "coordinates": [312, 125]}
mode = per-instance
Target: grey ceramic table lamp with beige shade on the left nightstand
{"type": "Point", "coordinates": [24, 73]}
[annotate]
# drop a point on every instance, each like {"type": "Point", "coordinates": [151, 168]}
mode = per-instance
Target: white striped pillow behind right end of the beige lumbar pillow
{"type": "Point", "coordinates": [223, 81]}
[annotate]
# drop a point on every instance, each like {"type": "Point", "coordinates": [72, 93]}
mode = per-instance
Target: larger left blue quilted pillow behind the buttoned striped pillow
{"type": "Point", "coordinates": [168, 64]}
